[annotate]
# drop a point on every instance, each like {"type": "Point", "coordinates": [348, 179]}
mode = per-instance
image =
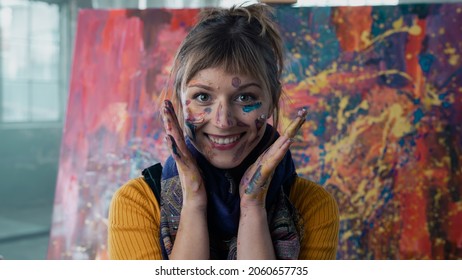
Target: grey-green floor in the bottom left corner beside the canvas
{"type": "Point", "coordinates": [24, 233]}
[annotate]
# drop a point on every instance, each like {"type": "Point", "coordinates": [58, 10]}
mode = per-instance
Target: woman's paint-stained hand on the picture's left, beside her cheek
{"type": "Point", "coordinates": [192, 184]}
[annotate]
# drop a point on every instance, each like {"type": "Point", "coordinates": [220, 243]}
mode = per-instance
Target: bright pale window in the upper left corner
{"type": "Point", "coordinates": [29, 62]}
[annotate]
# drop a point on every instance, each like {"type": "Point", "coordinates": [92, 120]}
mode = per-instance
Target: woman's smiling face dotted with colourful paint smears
{"type": "Point", "coordinates": [225, 115]}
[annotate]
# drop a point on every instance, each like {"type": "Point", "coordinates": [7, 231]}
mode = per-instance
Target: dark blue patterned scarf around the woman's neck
{"type": "Point", "coordinates": [223, 200]}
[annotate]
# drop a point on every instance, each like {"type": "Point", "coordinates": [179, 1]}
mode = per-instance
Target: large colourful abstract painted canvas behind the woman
{"type": "Point", "coordinates": [383, 88]}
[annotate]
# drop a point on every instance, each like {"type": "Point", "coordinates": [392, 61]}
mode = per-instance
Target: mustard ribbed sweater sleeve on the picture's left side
{"type": "Point", "coordinates": [133, 223]}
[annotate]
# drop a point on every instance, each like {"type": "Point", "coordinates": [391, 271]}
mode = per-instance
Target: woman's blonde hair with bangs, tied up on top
{"type": "Point", "coordinates": [241, 40]}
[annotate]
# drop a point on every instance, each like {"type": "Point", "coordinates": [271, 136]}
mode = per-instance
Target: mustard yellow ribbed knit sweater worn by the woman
{"type": "Point", "coordinates": [134, 220]}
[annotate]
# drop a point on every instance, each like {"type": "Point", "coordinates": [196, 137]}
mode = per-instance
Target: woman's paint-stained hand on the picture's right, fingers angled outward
{"type": "Point", "coordinates": [256, 180]}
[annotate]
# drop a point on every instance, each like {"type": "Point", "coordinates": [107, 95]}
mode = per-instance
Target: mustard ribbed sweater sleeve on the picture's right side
{"type": "Point", "coordinates": [320, 219]}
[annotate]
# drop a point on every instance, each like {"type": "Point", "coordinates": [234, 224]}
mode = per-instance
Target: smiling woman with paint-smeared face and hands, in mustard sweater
{"type": "Point", "coordinates": [229, 190]}
